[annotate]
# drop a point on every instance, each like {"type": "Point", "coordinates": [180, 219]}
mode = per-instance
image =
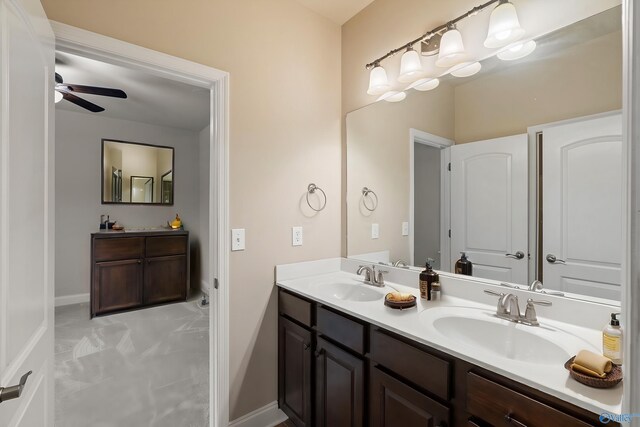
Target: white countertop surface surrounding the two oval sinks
{"type": "Point", "coordinates": [551, 378]}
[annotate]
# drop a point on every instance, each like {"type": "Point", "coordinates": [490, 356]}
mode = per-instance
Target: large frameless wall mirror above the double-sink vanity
{"type": "Point", "coordinates": [520, 166]}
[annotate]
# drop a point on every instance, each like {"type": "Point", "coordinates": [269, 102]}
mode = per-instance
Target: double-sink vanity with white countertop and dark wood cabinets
{"type": "Point", "coordinates": [345, 359]}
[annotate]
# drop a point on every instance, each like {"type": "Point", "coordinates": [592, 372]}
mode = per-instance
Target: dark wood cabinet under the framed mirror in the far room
{"type": "Point", "coordinates": [131, 270]}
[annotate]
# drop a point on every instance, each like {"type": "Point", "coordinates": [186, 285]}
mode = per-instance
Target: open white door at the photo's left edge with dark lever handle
{"type": "Point", "coordinates": [26, 212]}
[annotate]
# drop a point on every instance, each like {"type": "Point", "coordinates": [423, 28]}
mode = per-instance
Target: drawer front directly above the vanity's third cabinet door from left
{"type": "Point", "coordinates": [423, 369]}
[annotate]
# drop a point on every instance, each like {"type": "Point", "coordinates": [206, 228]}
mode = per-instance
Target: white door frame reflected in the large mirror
{"type": "Point", "coordinates": [420, 137]}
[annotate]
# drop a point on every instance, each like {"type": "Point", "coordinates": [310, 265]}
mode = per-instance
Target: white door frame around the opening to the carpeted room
{"type": "Point", "coordinates": [96, 46]}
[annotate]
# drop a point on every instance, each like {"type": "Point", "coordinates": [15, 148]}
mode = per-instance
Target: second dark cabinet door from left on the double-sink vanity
{"type": "Point", "coordinates": [339, 387]}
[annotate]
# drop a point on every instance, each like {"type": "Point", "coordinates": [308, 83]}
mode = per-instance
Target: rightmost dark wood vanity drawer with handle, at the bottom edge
{"type": "Point", "coordinates": [504, 407]}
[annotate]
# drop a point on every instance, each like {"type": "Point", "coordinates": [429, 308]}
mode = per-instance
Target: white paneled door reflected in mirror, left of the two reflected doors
{"type": "Point", "coordinates": [489, 216]}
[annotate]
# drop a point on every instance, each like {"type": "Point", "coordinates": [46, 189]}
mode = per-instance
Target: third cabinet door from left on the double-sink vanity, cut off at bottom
{"type": "Point", "coordinates": [395, 404]}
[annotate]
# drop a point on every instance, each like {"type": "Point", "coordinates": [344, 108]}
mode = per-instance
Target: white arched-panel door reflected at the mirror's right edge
{"type": "Point", "coordinates": [583, 191]}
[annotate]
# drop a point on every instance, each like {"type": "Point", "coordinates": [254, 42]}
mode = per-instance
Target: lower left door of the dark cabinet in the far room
{"type": "Point", "coordinates": [117, 285]}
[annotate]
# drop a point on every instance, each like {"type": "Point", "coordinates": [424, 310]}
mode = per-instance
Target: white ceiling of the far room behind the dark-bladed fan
{"type": "Point", "coordinates": [151, 99]}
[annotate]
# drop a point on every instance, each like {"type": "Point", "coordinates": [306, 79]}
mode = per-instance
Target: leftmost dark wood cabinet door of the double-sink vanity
{"type": "Point", "coordinates": [294, 376]}
